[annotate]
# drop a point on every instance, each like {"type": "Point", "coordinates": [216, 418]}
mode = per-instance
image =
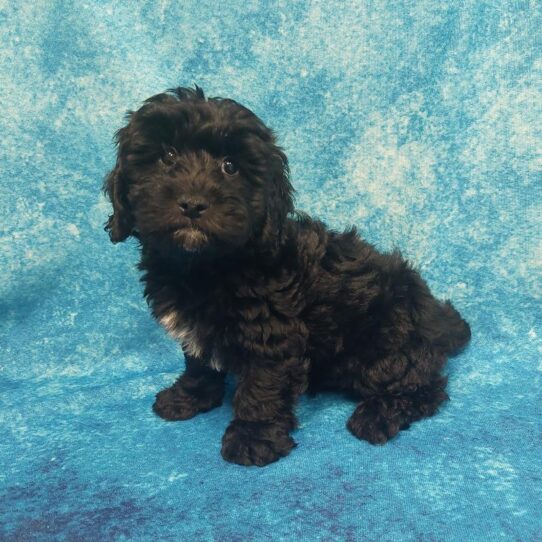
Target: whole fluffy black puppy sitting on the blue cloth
{"type": "Point", "coordinates": [249, 286]}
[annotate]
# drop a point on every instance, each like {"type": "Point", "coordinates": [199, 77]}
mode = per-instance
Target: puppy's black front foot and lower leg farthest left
{"type": "Point", "coordinates": [198, 389]}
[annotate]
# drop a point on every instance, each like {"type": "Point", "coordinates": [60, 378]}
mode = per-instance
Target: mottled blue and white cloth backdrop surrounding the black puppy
{"type": "Point", "coordinates": [420, 121]}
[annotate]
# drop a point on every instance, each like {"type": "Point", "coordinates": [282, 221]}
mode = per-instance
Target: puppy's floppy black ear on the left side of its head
{"type": "Point", "coordinates": [120, 223]}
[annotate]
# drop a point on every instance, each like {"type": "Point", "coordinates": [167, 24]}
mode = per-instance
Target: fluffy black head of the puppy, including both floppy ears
{"type": "Point", "coordinates": [197, 174]}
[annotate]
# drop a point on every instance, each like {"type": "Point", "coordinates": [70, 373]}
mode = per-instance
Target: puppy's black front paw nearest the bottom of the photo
{"type": "Point", "coordinates": [256, 443]}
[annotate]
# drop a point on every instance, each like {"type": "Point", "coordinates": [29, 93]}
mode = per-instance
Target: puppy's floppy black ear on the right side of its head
{"type": "Point", "coordinates": [279, 198]}
